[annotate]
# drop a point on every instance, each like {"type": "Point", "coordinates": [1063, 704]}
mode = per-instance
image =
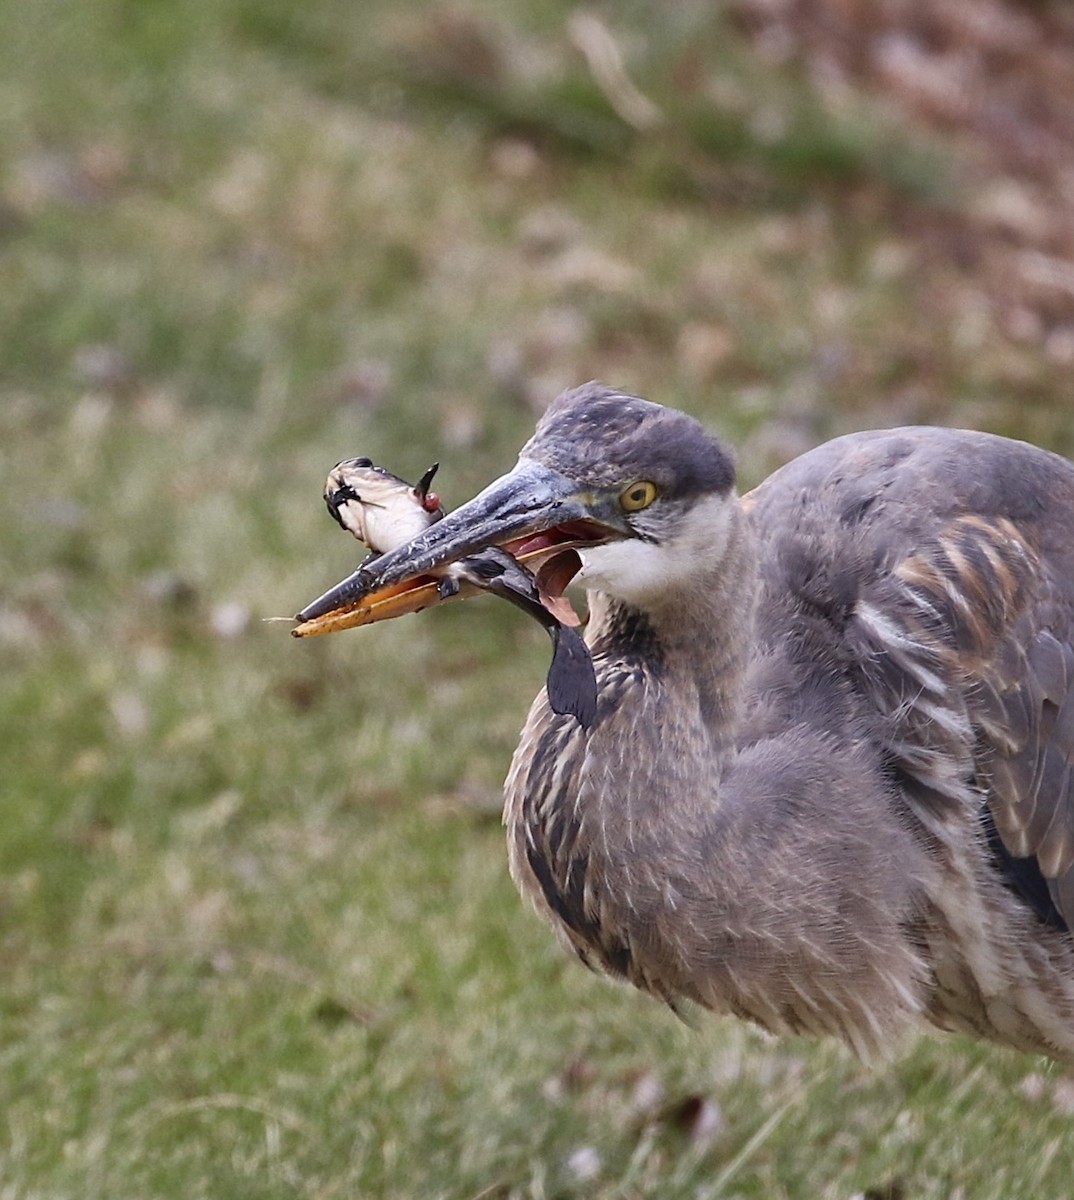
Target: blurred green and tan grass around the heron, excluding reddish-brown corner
{"type": "Point", "coordinates": [257, 937]}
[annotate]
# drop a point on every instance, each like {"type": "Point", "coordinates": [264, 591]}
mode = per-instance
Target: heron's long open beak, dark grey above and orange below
{"type": "Point", "coordinates": [535, 513]}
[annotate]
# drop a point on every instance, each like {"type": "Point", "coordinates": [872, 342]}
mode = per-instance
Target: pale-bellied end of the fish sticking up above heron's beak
{"type": "Point", "coordinates": [377, 507]}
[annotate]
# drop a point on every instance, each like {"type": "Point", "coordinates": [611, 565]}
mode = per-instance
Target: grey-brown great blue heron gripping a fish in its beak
{"type": "Point", "coordinates": [829, 787]}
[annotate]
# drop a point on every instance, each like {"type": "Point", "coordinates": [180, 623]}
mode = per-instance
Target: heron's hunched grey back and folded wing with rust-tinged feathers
{"type": "Point", "coordinates": [962, 633]}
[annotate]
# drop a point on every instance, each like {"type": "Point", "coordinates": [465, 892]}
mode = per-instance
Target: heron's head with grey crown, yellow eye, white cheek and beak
{"type": "Point", "coordinates": [621, 491]}
